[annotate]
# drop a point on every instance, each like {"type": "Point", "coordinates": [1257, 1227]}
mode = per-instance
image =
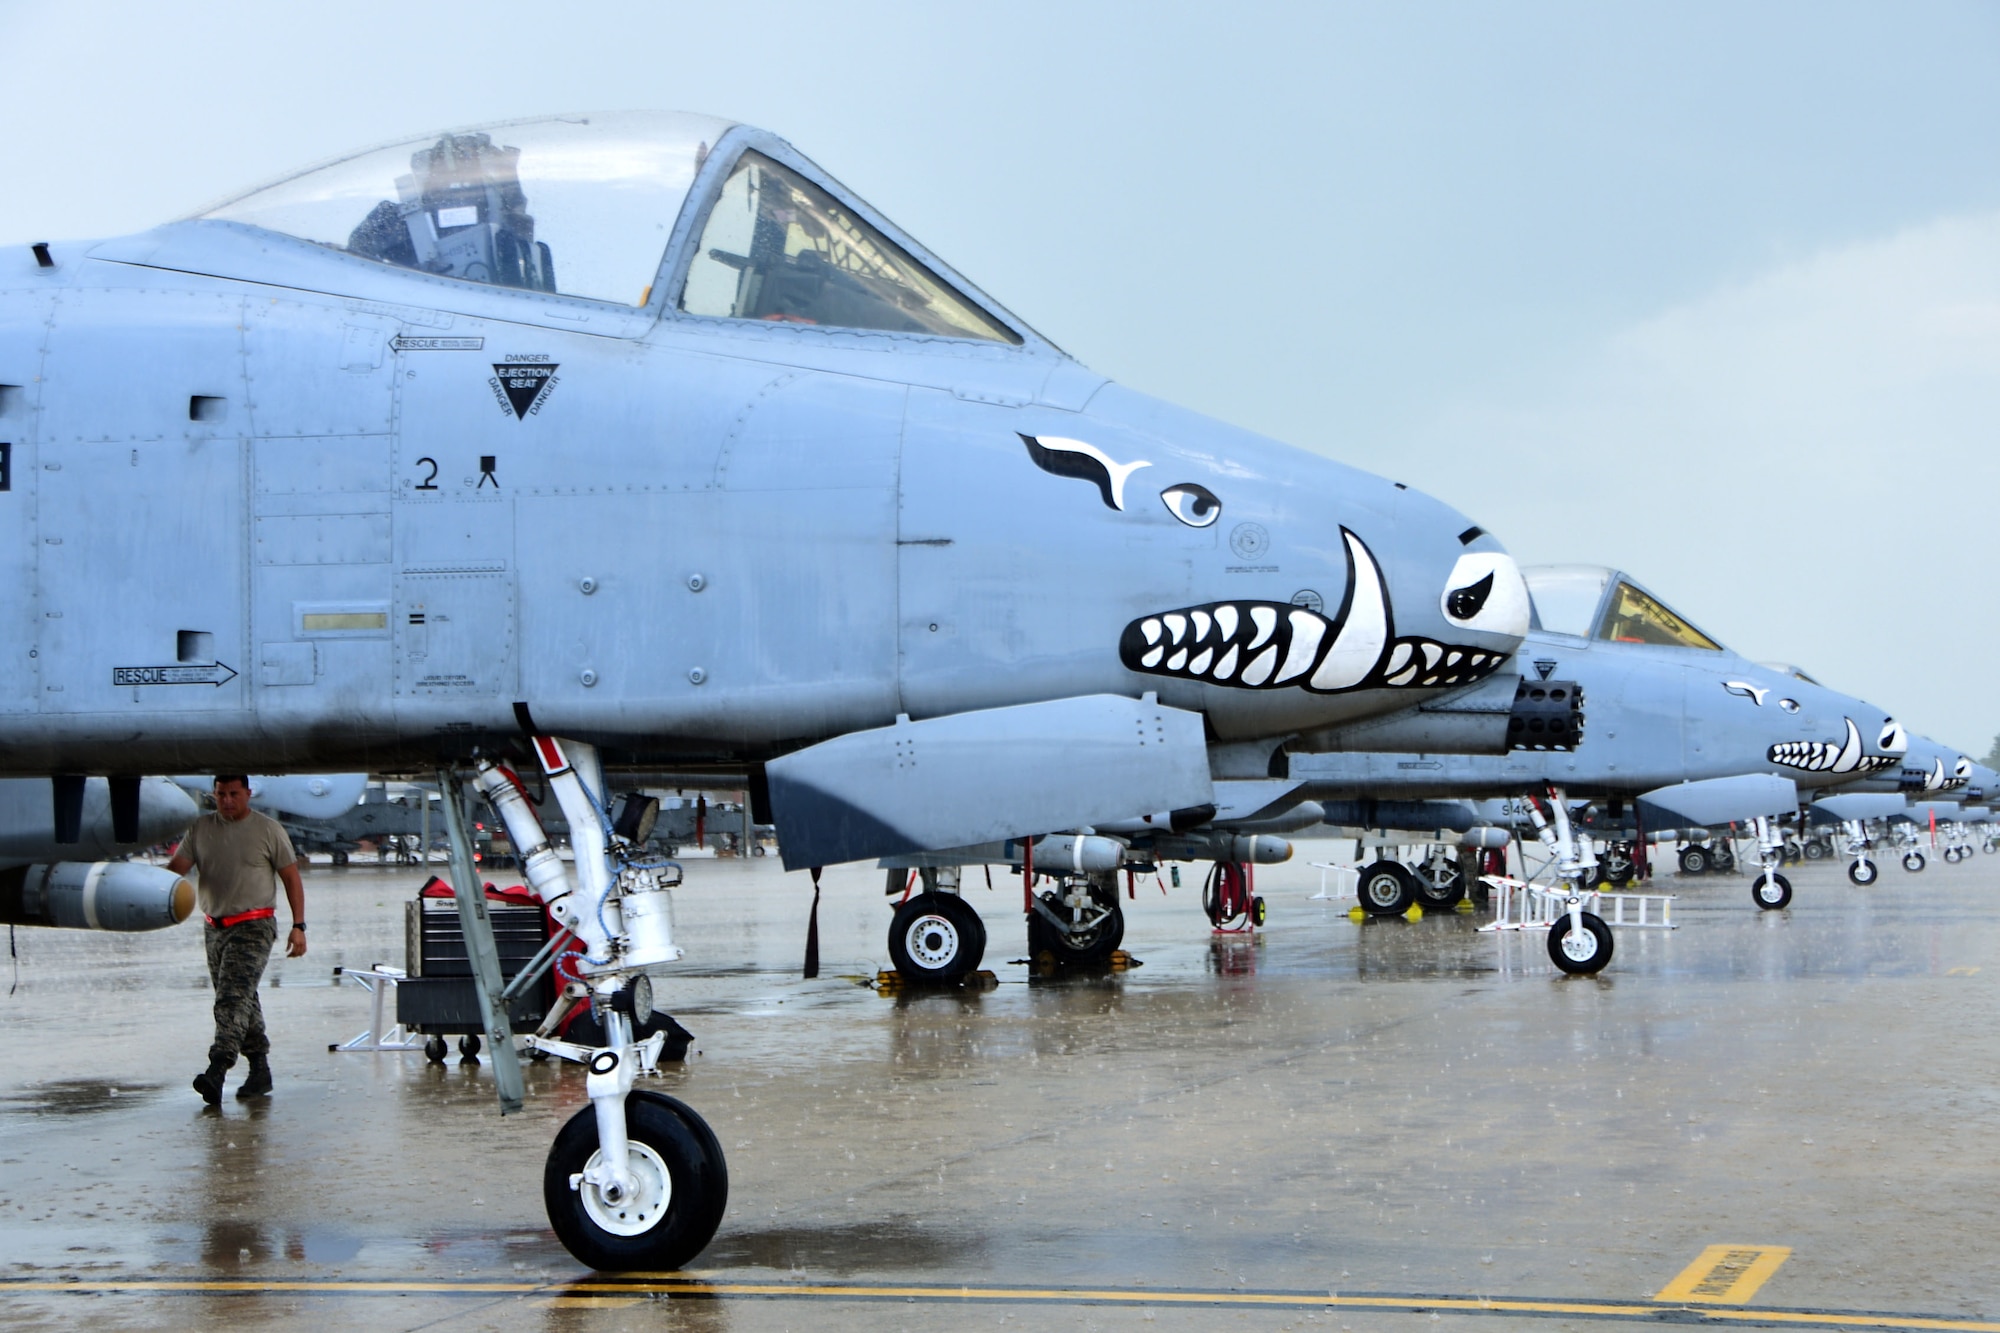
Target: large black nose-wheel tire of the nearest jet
{"type": "Point", "coordinates": [663, 1228]}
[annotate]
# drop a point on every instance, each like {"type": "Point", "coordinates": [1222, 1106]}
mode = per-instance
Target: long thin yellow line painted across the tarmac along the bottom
{"type": "Point", "coordinates": [609, 1294]}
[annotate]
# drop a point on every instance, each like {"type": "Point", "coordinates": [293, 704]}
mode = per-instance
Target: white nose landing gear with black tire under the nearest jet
{"type": "Point", "coordinates": [635, 1180]}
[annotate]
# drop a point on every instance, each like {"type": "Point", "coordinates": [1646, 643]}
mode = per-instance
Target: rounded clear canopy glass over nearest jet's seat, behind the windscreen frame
{"type": "Point", "coordinates": [573, 205]}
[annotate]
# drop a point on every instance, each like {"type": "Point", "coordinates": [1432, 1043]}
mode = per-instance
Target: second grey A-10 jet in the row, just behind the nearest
{"type": "Point", "coordinates": [1643, 708]}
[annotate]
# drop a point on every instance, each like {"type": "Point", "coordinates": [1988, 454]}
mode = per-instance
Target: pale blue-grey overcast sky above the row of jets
{"type": "Point", "coordinates": [1705, 291]}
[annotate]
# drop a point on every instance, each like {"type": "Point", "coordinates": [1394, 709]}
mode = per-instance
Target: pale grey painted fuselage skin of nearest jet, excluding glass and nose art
{"type": "Point", "coordinates": [267, 509]}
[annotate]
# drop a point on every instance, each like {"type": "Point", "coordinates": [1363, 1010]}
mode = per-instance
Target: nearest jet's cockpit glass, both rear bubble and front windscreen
{"type": "Point", "coordinates": [585, 207]}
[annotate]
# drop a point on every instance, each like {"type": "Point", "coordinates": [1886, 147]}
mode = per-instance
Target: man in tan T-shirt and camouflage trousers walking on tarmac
{"type": "Point", "coordinates": [237, 854]}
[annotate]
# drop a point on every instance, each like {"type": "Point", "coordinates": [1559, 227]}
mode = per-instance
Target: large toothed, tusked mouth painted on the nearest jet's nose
{"type": "Point", "coordinates": [1277, 645]}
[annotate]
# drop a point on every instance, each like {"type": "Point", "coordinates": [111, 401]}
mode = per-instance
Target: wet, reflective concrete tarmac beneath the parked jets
{"type": "Point", "coordinates": [1425, 1120]}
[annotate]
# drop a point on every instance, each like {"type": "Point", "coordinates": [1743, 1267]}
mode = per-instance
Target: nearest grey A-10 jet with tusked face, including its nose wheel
{"type": "Point", "coordinates": [639, 441]}
